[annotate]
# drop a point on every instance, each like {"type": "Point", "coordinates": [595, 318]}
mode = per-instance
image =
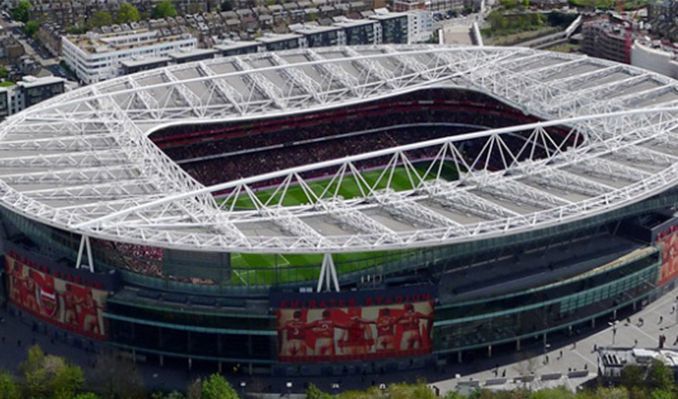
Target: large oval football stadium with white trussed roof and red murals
{"type": "Point", "coordinates": [343, 210]}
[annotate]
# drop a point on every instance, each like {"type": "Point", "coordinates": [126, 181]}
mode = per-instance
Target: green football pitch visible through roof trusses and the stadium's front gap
{"type": "Point", "coordinates": [266, 269]}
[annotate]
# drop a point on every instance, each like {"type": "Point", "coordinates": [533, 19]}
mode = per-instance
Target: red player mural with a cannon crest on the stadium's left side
{"type": "Point", "coordinates": [66, 304]}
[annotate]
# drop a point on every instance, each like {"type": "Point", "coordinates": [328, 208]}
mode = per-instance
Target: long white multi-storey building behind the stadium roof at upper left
{"type": "Point", "coordinates": [95, 57]}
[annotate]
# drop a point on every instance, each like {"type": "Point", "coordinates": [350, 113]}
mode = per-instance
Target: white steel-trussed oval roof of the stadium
{"type": "Point", "coordinates": [83, 161]}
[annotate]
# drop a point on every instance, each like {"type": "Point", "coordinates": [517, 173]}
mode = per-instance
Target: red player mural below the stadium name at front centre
{"type": "Point", "coordinates": [322, 329]}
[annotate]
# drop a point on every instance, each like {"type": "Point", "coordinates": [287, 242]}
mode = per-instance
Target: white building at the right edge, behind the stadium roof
{"type": "Point", "coordinates": [656, 57]}
